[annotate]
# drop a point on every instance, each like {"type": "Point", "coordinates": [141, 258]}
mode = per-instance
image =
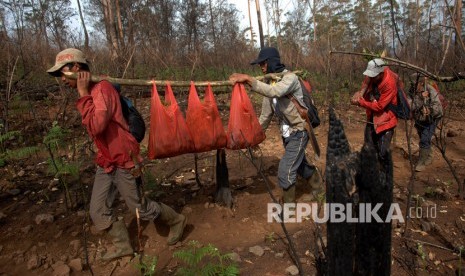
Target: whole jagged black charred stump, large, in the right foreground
{"type": "Point", "coordinates": [354, 180]}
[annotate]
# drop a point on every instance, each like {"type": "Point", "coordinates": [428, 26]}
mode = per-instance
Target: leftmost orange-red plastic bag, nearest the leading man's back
{"type": "Point", "coordinates": [169, 135]}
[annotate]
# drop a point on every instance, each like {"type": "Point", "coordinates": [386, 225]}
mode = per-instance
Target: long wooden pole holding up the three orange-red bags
{"type": "Point", "coordinates": [138, 82]}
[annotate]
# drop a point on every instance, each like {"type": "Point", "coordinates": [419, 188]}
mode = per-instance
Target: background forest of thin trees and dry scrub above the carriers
{"type": "Point", "coordinates": [154, 38]}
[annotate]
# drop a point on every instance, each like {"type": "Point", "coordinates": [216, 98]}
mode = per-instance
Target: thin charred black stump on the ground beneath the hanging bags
{"type": "Point", "coordinates": [223, 190]}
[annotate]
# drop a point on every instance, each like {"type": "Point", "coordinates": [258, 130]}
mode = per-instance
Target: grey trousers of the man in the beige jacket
{"type": "Point", "coordinates": [294, 162]}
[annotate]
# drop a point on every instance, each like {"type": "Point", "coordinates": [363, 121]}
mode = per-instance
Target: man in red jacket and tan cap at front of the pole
{"type": "Point", "coordinates": [100, 107]}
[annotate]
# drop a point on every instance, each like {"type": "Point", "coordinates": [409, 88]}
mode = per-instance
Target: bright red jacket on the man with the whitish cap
{"type": "Point", "coordinates": [383, 118]}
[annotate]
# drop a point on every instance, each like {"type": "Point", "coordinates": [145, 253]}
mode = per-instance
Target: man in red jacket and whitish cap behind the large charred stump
{"type": "Point", "coordinates": [379, 89]}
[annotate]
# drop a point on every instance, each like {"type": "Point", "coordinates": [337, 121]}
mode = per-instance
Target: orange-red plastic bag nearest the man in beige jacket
{"type": "Point", "coordinates": [244, 130]}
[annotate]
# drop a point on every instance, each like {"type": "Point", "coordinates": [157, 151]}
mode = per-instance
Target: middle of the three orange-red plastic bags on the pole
{"type": "Point", "coordinates": [204, 121]}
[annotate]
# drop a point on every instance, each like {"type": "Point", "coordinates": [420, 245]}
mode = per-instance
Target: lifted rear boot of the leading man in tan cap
{"type": "Point", "coordinates": [175, 221]}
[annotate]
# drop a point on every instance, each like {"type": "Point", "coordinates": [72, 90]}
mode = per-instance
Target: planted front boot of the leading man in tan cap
{"type": "Point", "coordinates": [120, 240]}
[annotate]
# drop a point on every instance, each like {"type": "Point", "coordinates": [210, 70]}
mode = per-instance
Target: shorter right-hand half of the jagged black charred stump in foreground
{"type": "Point", "coordinates": [373, 239]}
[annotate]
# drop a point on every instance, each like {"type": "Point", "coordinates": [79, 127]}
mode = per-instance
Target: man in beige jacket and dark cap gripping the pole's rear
{"type": "Point", "coordinates": [284, 98]}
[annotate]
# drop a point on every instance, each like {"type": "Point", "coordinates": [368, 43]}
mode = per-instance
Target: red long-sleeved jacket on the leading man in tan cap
{"type": "Point", "coordinates": [105, 123]}
